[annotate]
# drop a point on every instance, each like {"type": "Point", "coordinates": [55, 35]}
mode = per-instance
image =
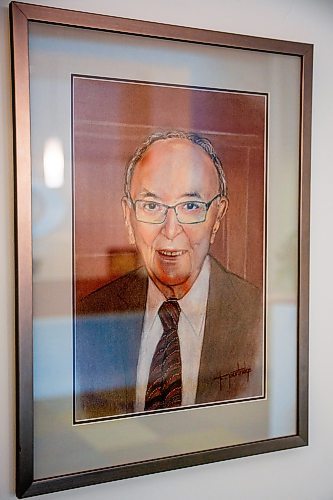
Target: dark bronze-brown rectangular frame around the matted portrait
{"type": "Point", "coordinates": [21, 14]}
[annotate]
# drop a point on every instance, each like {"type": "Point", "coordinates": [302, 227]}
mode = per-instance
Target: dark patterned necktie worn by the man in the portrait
{"type": "Point", "coordinates": [164, 388]}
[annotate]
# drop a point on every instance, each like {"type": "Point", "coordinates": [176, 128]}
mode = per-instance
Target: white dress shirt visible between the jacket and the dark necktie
{"type": "Point", "coordinates": [191, 328]}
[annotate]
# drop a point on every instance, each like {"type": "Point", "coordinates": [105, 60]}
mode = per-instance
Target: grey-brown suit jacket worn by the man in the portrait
{"type": "Point", "coordinates": [108, 329]}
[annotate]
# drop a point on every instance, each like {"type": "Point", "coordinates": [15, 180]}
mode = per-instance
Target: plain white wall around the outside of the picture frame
{"type": "Point", "coordinates": [305, 473]}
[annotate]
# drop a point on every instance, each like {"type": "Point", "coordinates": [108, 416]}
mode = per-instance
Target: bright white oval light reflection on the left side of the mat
{"type": "Point", "coordinates": [53, 161]}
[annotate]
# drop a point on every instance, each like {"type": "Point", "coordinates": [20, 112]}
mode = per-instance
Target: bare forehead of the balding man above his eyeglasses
{"type": "Point", "coordinates": [175, 166]}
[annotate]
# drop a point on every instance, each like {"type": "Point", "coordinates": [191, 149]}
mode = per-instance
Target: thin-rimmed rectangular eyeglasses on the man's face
{"type": "Point", "coordinates": [187, 212]}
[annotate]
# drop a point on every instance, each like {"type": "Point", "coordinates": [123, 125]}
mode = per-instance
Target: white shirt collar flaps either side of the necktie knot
{"type": "Point", "coordinates": [193, 304]}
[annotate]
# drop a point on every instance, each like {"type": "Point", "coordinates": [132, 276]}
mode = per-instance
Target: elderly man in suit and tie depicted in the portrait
{"type": "Point", "coordinates": [181, 330]}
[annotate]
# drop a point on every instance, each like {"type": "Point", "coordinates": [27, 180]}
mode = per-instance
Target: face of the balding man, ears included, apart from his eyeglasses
{"type": "Point", "coordinates": [174, 171]}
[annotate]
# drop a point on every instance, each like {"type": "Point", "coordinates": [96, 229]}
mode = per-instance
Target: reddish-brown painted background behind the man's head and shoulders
{"type": "Point", "coordinates": [111, 118]}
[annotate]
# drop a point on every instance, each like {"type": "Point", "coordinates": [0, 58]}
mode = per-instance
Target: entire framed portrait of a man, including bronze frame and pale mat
{"type": "Point", "coordinates": [162, 227]}
